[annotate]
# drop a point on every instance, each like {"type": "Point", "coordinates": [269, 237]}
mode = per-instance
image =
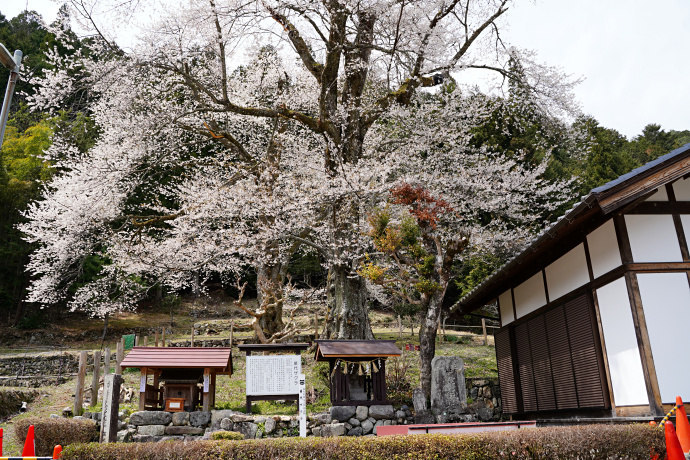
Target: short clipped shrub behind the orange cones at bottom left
{"type": "Point", "coordinates": [50, 432]}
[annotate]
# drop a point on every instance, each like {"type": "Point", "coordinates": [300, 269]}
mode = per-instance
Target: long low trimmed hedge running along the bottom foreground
{"type": "Point", "coordinates": [580, 442]}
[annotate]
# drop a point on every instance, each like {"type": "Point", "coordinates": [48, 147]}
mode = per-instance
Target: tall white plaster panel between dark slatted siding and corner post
{"type": "Point", "coordinates": [627, 378]}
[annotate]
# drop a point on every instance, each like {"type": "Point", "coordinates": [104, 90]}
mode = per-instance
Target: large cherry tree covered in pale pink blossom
{"type": "Point", "coordinates": [235, 131]}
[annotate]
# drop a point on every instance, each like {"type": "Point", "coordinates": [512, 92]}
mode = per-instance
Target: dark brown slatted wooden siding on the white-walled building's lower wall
{"type": "Point", "coordinates": [558, 362]}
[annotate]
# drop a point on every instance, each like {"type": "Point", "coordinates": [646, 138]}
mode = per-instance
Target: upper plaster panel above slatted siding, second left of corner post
{"type": "Point", "coordinates": [567, 273]}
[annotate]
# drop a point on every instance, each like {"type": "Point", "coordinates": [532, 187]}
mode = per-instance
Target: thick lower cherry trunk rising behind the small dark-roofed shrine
{"type": "Point", "coordinates": [348, 316]}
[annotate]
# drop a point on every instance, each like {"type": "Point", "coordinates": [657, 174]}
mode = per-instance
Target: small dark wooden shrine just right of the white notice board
{"type": "Point", "coordinates": [357, 370]}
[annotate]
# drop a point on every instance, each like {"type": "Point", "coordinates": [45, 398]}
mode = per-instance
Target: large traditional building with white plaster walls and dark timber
{"type": "Point", "coordinates": [593, 311]}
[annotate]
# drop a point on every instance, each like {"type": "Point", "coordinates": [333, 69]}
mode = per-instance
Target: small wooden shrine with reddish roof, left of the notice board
{"type": "Point", "coordinates": [188, 376]}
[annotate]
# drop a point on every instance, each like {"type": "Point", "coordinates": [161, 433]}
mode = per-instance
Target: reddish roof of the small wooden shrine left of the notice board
{"type": "Point", "coordinates": [219, 359]}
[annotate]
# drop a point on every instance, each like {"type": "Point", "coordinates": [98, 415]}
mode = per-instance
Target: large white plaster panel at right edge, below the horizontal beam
{"type": "Point", "coordinates": [666, 304]}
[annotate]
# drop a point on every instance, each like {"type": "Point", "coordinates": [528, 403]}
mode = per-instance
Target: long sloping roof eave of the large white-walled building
{"type": "Point", "coordinates": [594, 208]}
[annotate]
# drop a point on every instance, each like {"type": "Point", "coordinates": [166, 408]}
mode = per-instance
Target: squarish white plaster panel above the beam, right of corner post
{"type": "Point", "coordinates": [653, 238]}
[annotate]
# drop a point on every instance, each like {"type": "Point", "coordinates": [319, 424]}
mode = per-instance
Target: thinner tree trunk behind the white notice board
{"type": "Point", "coordinates": [268, 290]}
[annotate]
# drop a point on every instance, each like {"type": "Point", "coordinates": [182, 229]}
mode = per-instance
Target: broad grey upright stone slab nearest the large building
{"type": "Point", "coordinates": [448, 390]}
